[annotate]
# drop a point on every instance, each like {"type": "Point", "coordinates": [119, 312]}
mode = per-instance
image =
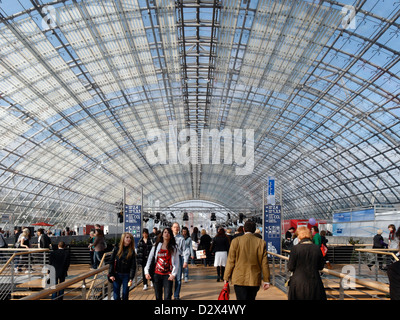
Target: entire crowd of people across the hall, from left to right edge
{"type": "Point", "coordinates": [241, 258]}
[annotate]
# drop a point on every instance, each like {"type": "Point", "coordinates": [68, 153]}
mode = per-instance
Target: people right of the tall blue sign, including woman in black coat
{"type": "Point", "coordinates": [308, 255]}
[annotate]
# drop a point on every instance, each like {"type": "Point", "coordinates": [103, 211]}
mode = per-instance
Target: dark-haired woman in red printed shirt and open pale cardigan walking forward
{"type": "Point", "coordinates": [165, 254]}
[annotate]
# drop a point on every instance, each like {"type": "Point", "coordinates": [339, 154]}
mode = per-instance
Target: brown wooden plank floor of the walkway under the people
{"type": "Point", "coordinates": [203, 285]}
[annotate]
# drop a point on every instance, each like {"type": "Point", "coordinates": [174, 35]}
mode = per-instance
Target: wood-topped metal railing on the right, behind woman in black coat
{"type": "Point", "coordinates": [338, 285]}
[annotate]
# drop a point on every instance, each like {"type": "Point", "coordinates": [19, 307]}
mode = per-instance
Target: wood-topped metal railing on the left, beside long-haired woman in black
{"type": "Point", "coordinates": [24, 269]}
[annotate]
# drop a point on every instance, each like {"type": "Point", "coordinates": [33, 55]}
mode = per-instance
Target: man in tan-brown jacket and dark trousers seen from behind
{"type": "Point", "coordinates": [247, 259]}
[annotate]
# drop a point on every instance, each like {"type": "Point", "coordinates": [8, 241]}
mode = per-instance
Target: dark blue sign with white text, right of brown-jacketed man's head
{"type": "Point", "coordinates": [272, 228]}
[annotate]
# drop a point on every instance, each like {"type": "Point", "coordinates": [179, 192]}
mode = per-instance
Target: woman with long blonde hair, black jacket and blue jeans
{"type": "Point", "coordinates": [123, 266]}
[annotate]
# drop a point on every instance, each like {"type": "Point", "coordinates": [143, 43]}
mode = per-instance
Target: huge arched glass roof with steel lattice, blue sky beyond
{"type": "Point", "coordinates": [84, 83]}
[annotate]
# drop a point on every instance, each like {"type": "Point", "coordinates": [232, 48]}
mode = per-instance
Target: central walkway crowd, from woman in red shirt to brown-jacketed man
{"type": "Point", "coordinates": [166, 259]}
